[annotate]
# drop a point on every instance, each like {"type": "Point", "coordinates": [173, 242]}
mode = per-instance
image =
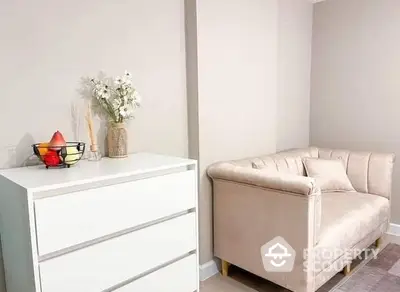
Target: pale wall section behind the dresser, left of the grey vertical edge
{"type": "Point", "coordinates": [47, 46]}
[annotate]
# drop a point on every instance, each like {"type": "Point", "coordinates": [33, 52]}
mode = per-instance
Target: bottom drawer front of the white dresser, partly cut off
{"type": "Point", "coordinates": [177, 277]}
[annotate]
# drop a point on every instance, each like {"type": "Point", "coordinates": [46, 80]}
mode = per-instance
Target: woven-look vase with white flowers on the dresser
{"type": "Point", "coordinates": [118, 99]}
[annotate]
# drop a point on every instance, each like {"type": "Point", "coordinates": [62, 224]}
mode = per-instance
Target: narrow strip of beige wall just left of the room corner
{"type": "Point", "coordinates": [294, 70]}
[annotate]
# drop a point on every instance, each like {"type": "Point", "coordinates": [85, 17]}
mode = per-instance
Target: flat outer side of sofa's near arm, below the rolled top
{"type": "Point", "coordinates": [246, 218]}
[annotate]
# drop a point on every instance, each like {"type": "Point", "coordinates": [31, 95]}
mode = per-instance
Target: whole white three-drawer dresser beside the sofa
{"type": "Point", "coordinates": [123, 225]}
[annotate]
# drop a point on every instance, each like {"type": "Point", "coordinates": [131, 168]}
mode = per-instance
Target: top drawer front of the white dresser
{"type": "Point", "coordinates": [67, 220]}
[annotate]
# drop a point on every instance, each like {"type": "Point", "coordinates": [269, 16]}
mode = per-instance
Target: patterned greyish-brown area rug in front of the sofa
{"type": "Point", "coordinates": [378, 275]}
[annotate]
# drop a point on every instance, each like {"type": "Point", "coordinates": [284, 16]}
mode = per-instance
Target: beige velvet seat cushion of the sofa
{"type": "Point", "coordinates": [347, 218]}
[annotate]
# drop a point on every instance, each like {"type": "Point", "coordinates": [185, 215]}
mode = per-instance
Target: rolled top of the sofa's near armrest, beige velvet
{"type": "Point", "coordinates": [256, 177]}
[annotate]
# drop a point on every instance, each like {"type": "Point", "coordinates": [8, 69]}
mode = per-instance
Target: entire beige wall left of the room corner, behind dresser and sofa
{"type": "Point", "coordinates": [238, 53]}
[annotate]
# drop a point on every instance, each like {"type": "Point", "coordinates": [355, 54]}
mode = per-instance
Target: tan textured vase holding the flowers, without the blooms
{"type": "Point", "coordinates": [117, 140]}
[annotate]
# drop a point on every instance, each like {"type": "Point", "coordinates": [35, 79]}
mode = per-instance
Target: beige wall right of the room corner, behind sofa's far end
{"type": "Point", "coordinates": [355, 98]}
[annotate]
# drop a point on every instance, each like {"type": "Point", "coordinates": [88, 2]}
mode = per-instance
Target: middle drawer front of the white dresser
{"type": "Point", "coordinates": [111, 262]}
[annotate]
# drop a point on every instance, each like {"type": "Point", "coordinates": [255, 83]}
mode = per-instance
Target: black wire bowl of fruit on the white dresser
{"type": "Point", "coordinates": [59, 156]}
